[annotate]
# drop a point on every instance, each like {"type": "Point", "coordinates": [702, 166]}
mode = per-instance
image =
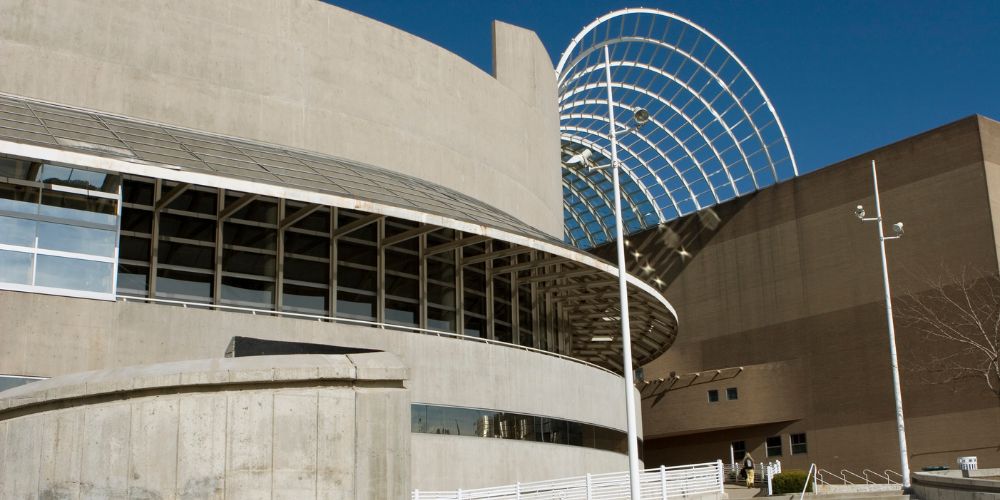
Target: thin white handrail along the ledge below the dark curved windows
{"type": "Point", "coordinates": [334, 319]}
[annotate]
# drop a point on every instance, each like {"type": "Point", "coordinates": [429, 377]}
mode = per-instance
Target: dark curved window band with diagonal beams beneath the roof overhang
{"type": "Point", "coordinates": [196, 244]}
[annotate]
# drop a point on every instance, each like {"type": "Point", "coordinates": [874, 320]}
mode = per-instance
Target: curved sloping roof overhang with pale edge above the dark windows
{"type": "Point", "coordinates": [585, 285]}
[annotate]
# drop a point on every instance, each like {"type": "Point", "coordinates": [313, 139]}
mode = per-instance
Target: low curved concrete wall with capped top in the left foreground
{"type": "Point", "coordinates": [264, 427]}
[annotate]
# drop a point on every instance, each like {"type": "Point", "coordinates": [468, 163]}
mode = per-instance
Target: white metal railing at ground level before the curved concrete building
{"type": "Point", "coordinates": [657, 483]}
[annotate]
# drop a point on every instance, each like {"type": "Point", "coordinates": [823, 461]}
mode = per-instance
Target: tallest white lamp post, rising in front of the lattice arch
{"type": "Point", "coordinates": [633, 447]}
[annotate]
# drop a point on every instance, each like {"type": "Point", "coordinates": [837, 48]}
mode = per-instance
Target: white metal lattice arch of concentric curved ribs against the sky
{"type": "Point", "coordinates": [713, 134]}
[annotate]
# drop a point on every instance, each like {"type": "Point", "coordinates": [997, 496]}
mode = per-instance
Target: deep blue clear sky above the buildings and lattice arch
{"type": "Point", "coordinates": [845, 76]}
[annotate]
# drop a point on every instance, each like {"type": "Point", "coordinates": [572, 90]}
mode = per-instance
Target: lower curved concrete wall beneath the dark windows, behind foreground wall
{"type": "Point", "coordinates": [81, 334]}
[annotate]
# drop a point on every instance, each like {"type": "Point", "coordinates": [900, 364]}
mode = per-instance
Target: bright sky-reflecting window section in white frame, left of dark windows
{"type": "Point", "coordinates": [58, 228]}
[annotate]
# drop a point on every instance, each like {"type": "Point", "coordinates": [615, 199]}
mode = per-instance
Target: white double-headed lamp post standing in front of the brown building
{"type": "Point", "coordinates": [897, 228]}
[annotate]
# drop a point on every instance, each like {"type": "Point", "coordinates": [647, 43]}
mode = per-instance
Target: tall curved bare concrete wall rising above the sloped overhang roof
{"type": "Point", "coordinates": [308, 75]}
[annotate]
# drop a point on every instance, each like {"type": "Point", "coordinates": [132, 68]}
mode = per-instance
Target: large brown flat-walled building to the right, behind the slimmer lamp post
{"type": "Point", "coordinates": [783, 304]}
